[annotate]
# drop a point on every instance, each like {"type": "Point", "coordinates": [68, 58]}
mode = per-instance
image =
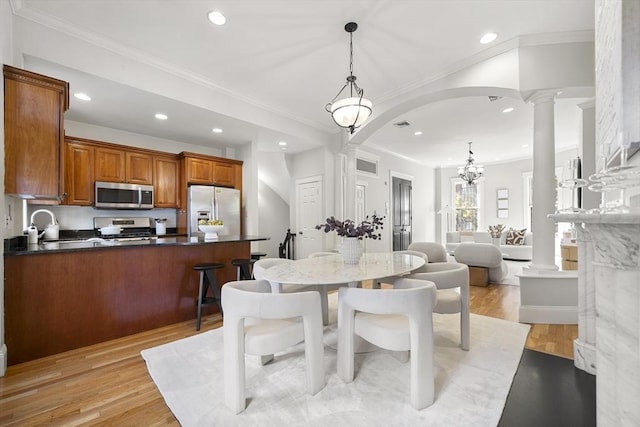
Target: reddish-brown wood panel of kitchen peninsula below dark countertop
{"type": "Point", "coordinates": [111, 293]}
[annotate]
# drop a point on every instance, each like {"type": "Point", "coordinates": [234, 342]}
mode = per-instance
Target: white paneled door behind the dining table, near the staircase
{"type": "Point", "coordinates": [309, 213]}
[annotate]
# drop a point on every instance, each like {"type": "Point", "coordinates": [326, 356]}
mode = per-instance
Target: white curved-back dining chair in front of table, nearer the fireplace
{"type": "Point", "coordinates": [397, 319]}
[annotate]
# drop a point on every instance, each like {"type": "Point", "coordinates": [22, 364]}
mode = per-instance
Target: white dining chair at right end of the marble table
{"type": "Point", "coordinates": [452, 281]}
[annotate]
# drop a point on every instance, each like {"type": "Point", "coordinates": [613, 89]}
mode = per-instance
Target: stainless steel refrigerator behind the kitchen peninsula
{"type": "Point", "coordinates": [208, 202]}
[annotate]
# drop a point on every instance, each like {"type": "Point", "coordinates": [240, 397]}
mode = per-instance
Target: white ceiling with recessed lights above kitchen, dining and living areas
{"type": "Point", "coordinates": [291, 57]}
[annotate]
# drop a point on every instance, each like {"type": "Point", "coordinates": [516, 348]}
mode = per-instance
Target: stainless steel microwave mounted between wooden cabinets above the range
{"type": "Point", "coordinates": [116, 195]}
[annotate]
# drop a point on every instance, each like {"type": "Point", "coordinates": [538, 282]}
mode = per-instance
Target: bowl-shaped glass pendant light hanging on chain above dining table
{"type": "Point", "coordinates": [350, 112]}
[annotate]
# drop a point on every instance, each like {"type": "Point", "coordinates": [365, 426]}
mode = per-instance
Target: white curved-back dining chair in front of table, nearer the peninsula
{"type": "Point", "coordinates": [262, 323]}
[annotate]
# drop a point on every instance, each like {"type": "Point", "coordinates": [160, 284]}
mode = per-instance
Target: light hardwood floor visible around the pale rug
{"type": "Point", "coordinates": [108, 383]}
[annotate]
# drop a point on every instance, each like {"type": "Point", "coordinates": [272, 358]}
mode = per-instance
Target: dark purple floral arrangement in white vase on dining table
{"type": "Point", "coordinates": [353, 234]}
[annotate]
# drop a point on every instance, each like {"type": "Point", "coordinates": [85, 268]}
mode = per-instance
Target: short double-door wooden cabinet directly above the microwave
{"type": "Point", "coordinates": [114, 165]}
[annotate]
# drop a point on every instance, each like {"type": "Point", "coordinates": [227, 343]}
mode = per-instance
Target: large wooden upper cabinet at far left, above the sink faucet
{"type": "Point", "coordinates": [34, 107]}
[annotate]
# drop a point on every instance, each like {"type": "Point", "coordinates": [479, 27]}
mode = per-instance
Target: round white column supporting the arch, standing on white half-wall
{"type": "Point", "coordinates": [544, 181]}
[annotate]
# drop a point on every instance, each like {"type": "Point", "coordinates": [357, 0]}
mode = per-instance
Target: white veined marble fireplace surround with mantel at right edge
{"type": "Point", "coordinates": [608, 342]}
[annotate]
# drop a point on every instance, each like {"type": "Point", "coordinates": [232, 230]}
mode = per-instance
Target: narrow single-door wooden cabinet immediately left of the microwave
{"type": "Point", "coordinates": [78, 174]}
